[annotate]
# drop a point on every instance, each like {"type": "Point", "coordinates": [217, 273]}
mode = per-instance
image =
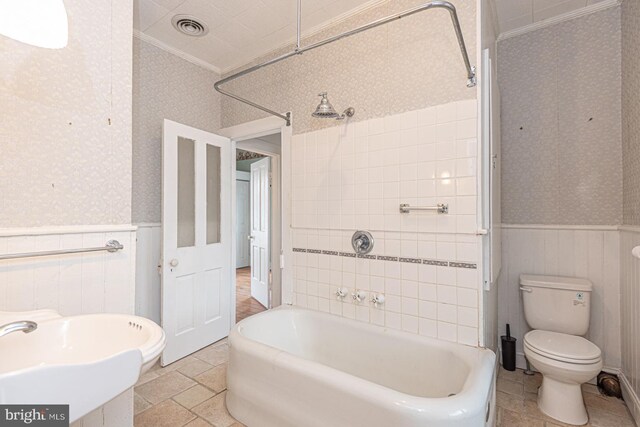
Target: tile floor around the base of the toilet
{"type": "Point", "coordinates": [517, 407]}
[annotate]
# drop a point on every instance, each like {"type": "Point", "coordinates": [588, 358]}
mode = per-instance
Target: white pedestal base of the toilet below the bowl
{"type": "Point", "coordinates": [562, 401]}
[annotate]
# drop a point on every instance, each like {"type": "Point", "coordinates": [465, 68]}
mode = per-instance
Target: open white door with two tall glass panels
{"type": "Point", "coordinates": [196, 239]}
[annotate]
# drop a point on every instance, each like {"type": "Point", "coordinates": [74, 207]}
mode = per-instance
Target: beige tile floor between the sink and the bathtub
{"type": "Point", "coordinates": [190, 392]}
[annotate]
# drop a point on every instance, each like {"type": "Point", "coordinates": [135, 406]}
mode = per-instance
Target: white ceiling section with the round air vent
{"type": "Point", "coordinates": [239, 30]}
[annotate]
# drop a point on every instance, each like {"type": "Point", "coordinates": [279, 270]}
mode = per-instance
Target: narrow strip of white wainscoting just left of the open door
{"type": "Point", "coordinates": [148, 280]}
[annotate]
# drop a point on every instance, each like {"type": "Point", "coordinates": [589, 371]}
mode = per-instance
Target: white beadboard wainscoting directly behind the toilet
{"type": "Point", "coordinates": [586, 252]}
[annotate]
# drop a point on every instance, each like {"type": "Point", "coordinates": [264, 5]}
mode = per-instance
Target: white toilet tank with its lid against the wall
{"type": "Point", "coordinates": [557, 304]}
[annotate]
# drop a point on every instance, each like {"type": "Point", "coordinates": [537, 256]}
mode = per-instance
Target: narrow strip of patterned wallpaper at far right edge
{"type": "Point", "coordinates": [631, 111]}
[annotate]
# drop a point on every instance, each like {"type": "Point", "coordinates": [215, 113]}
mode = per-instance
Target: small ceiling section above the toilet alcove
{"type": "Point", "coordinates": [513, 14]}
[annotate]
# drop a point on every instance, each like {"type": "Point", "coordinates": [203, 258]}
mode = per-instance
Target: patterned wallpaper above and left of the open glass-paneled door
{"type": "Point", "coordinates": [165, 87]}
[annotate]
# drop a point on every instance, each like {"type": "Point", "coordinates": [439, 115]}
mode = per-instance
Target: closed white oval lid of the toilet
{"type": "Point", "coordinates": [562, 347]}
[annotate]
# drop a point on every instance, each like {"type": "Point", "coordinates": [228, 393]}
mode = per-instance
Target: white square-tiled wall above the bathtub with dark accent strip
{"type": "Point", "coordinates": [355, 177]}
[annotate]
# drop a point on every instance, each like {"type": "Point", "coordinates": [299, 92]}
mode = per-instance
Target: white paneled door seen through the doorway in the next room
{"type": "Point", "coordinates": [260, 227]}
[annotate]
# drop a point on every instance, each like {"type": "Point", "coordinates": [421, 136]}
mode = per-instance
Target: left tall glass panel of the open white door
{"type": "Point", "coordinates": [186, 193]}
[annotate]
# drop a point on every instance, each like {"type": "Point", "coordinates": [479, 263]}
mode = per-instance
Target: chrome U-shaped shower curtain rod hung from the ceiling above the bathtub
{"type": "Point", "coordinates": [471, 74]}
